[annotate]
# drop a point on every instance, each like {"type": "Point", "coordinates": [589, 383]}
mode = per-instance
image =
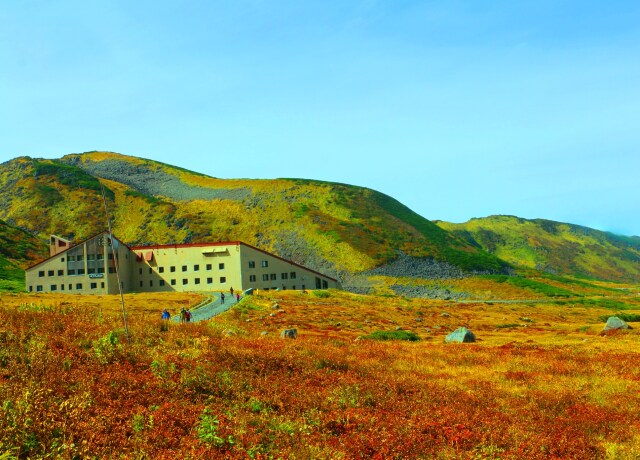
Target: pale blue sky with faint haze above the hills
{"type": "Point", "coordinates": [458, 109]}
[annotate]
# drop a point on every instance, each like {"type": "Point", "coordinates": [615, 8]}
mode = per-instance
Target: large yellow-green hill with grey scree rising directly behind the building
{"type": "Point", "coordinates": [336, 228]}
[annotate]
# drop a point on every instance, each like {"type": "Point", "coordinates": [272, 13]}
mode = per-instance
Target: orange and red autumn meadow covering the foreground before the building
{"type": "Point", "coordinates": [541, 382]}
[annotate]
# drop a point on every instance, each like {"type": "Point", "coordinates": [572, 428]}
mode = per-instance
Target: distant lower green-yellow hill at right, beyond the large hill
{"type": "Point", "coordinates": [554, 247]}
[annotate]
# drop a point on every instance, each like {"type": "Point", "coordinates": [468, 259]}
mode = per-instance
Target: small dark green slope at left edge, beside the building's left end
{"type": "Point", "coordinates": [17, 250]}
